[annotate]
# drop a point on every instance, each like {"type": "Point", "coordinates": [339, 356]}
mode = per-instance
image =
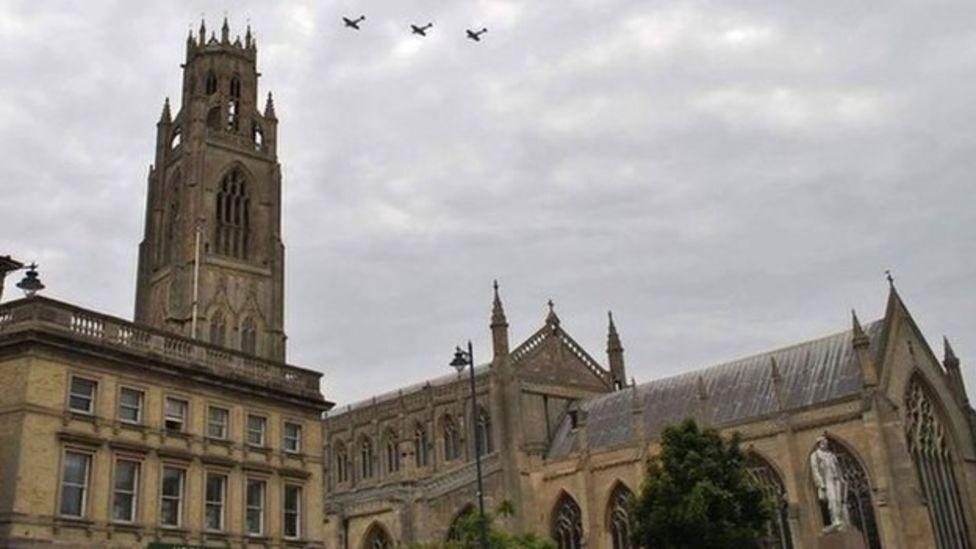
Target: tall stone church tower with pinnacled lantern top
{"type": "Point", "coordinates": [211, 263]}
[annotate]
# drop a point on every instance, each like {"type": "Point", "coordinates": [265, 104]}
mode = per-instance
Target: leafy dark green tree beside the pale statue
{"type": "Point", "coordinates": [698, 494]}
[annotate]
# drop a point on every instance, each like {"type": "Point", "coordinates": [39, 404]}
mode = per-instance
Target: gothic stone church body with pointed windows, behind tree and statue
{"type": "Point", "coordinates": [567, 440]}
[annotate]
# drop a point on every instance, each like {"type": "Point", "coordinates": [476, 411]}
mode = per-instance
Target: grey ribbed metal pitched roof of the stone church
{"type": "Point", "coordinates": [813, 372]}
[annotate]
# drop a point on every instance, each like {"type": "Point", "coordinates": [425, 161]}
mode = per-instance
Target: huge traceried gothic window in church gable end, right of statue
{"type": "Point", "coordinates": [930, 448]}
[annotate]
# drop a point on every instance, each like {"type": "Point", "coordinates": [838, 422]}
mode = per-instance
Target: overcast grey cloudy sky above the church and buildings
{"type": "Point", "coordinates": [726, 176]}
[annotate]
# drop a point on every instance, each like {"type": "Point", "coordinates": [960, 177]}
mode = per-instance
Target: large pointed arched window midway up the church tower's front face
{"type": "Point", "coordinates": [233, 216]}
